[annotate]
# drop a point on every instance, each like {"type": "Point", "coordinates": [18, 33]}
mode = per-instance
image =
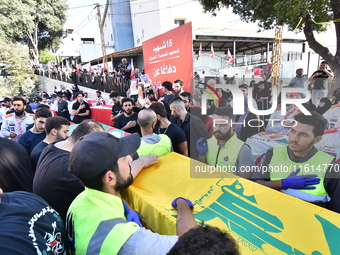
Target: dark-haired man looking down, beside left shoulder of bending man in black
{"type": "Point", "coordinates": [56, 128]}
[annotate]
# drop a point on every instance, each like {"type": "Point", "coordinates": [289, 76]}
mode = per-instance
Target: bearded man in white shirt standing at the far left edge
{"type": "Point", "coordinates": [15, 124]}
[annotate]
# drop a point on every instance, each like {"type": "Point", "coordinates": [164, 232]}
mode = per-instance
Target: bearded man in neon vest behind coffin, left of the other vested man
{"type": "Point", "coordinates": [224, 150]}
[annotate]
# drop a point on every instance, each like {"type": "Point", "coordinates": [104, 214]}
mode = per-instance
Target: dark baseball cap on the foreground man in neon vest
{"type": "Point", "coordinates": [95, 152]}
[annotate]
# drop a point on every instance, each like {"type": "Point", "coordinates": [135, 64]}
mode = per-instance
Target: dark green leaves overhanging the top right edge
{"type": "Point", "coordinates": [268, 13]}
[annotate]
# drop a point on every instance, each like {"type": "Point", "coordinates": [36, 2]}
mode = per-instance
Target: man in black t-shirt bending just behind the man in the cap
{"type": "Point", "coordinates": [52, 180]}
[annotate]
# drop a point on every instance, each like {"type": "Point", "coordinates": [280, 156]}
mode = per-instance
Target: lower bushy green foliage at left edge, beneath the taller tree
{"type": "Point", "coordinates": [16, 58]}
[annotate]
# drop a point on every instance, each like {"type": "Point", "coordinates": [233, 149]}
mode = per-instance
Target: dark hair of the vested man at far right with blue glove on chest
{"type": "Point", "coordinates": [316, 120]}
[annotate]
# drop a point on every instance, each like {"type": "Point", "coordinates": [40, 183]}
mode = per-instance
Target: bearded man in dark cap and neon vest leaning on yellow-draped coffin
{"type": "Point", "coordinates": [98, 222]}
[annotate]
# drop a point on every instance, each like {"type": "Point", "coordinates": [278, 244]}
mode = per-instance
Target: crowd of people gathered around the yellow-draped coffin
{"type": "Point", "coordinates": [50, 177]}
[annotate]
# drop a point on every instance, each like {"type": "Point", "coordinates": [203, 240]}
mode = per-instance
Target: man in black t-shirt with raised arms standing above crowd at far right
{"type": "Point", "coordinates": [320, 78]}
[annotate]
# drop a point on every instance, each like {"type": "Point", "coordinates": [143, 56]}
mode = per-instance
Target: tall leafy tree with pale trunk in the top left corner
{"type": "Point", "coordinates": [39, 23]}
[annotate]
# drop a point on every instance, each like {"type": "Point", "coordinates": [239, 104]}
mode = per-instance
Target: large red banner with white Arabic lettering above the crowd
{"type": "Point", "coordinates": [168, 57]}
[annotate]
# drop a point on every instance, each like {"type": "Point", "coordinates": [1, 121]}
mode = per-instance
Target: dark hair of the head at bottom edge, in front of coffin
{"type": "Point", "coordinates": [203, 240]}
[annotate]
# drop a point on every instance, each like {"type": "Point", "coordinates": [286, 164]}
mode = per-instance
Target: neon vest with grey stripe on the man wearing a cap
{"type": "Point", "coordinates": [96, 223]}
